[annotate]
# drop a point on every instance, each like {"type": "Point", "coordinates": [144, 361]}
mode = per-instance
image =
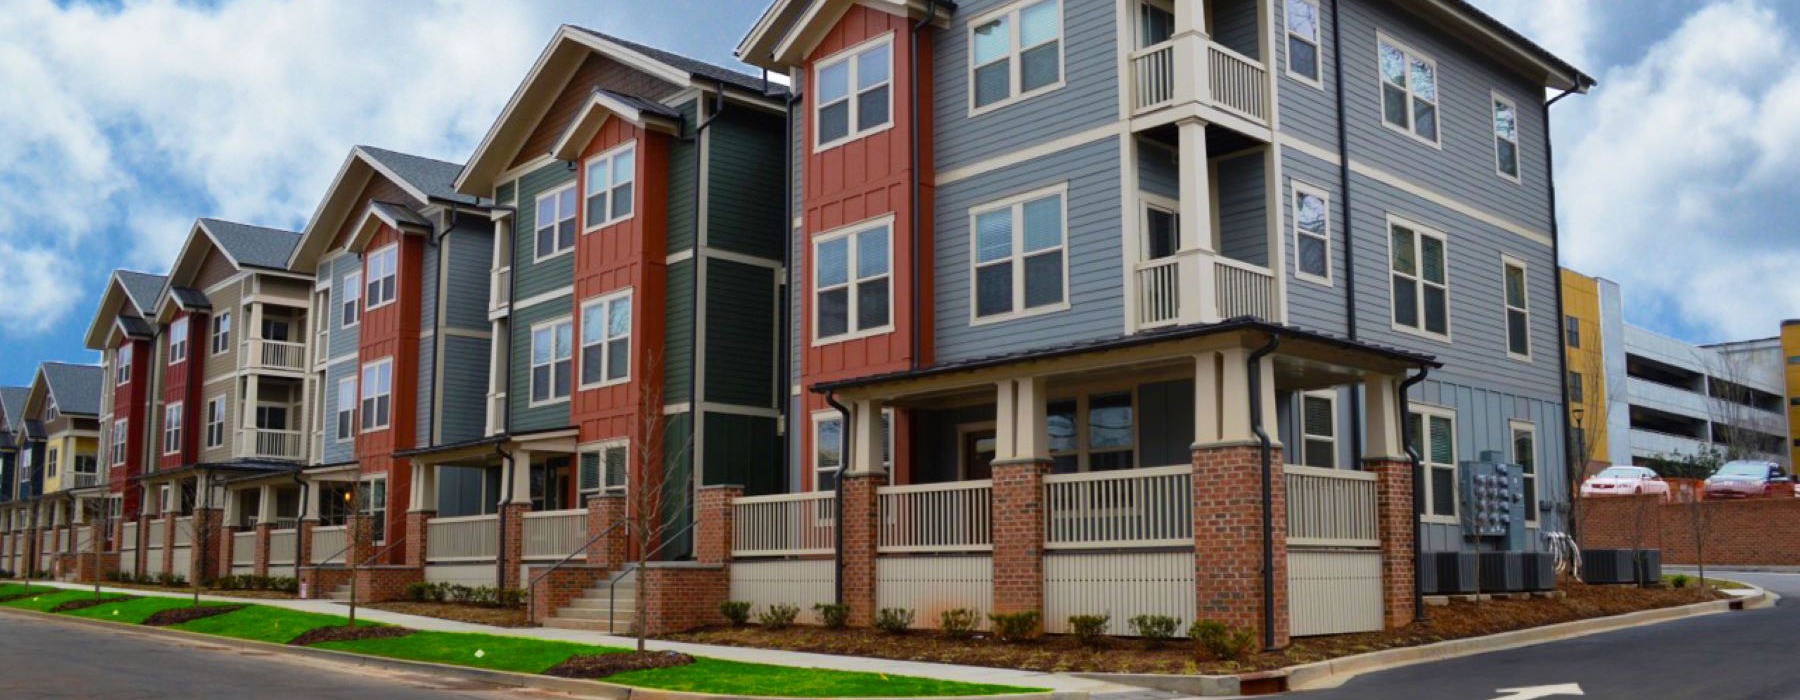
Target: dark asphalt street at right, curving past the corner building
{"type": "Point", "coordinates": [1734, 656]}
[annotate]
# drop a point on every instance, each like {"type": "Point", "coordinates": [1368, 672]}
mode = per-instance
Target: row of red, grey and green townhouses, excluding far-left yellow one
{"type": "Point", "coordinates": [1063, 307]}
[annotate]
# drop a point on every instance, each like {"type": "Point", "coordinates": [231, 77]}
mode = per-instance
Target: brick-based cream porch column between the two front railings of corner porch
{"type": "Point", "coordinates": [1018, 521]}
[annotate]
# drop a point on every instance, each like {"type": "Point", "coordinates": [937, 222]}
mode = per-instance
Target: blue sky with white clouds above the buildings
{"type": "Point", "coordinates": [127, 121]}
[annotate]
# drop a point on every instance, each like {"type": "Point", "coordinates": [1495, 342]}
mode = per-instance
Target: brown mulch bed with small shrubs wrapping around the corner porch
{"type": "Point", "coordinates": [1133, 656]}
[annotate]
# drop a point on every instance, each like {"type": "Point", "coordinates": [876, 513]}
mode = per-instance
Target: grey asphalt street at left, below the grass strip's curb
{"type": "Point", "coordinates": [69, 661]}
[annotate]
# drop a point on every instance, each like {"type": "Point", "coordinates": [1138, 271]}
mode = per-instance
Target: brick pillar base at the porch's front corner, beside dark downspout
{"type": "Point", "coordinates": [1228, 573]}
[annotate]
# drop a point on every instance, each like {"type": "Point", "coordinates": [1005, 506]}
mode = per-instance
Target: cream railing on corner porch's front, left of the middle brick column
{"type": "Point", "coordinates": [955, 517]}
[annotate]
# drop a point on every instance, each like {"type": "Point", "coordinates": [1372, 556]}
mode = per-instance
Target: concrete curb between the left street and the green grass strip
{"type": "Point", "coordinates": [507, 679]}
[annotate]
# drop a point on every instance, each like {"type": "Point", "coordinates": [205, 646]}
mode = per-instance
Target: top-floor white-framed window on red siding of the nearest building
{"type": "Point", "coordinates": [856, 94]}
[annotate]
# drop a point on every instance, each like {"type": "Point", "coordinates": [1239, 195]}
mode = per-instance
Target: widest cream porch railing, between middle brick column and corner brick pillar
{"type": "Point", "coordinates": [1128, 508]}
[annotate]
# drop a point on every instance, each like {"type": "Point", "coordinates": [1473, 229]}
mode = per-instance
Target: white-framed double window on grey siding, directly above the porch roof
{"type": "Point", "coordinates": [1020, 256]}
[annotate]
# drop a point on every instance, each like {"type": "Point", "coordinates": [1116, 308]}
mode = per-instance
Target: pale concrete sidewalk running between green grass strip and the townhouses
{"type": "Point", "coordinates": [913, 669]}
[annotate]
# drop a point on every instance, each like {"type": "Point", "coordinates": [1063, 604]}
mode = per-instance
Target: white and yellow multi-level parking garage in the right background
{"type": "Point", "coordinates": [1637, 395]}
